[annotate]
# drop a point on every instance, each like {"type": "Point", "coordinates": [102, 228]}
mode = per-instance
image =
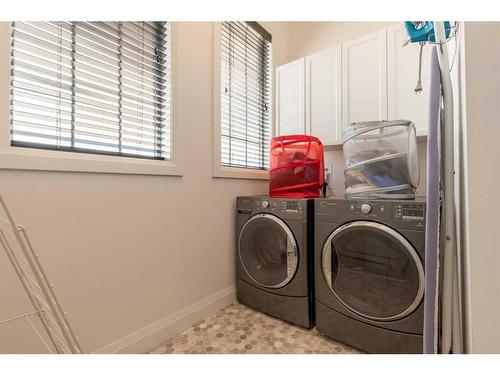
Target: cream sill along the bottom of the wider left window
{"type": "Point", "coordinates": [18, 158]}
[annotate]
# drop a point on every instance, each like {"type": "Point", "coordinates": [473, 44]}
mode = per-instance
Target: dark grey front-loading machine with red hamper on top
{"type": "Point", "coordinates": [274, 257]}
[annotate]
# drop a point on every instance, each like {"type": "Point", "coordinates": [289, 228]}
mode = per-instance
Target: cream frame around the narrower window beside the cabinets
{"type": "Point", "coordinates": [218, 170]}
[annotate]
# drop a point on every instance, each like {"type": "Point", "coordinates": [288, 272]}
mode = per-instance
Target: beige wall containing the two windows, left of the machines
{"type": "Point", "coordinates": [125, 251]}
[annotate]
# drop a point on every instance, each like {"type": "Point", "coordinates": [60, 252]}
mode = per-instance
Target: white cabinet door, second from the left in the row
{"type": "Point", "coordinates": [323, 96]}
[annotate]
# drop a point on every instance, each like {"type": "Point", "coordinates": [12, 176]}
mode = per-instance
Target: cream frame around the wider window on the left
{"type": "Point", "coordinates": [23, 158]}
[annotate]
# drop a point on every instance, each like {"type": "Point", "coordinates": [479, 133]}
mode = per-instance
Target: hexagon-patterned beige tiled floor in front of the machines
{"type": "Point", "coordinates": [238, 329]}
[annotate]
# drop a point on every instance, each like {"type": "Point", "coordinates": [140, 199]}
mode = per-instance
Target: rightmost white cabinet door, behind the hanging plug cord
{"type": "Point", "coordinates": [402, 77]}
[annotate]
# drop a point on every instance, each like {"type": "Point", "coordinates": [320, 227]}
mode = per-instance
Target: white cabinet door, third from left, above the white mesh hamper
{"type": "Point", "coordinates": [364, 79]}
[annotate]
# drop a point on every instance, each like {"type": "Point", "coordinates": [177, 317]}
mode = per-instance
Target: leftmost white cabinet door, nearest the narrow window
{"type": "Point", "coordinates": [290, 103]}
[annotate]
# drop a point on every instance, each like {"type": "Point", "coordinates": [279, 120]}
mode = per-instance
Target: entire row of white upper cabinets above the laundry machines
{"type": "Point", "coordinates": [367, 79]}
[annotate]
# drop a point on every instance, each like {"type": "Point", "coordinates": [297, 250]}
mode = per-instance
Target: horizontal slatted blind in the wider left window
{"type": "Point", "coordinates": [94, 87]}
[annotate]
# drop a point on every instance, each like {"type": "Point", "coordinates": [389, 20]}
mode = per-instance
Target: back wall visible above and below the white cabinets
{"type": "Point", "coordinates": [310, 37]}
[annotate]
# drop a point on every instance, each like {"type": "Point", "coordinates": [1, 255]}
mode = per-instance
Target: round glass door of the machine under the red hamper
{"type": "Point", "coordinates": [268, 251]}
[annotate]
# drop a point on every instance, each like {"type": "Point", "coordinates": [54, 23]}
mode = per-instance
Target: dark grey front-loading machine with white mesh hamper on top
{"type": "Point", "coordinates": [369, 279]}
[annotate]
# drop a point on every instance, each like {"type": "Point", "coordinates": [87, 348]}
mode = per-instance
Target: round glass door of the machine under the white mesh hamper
{"type": "Point", "coordinates": [373, 270]}
